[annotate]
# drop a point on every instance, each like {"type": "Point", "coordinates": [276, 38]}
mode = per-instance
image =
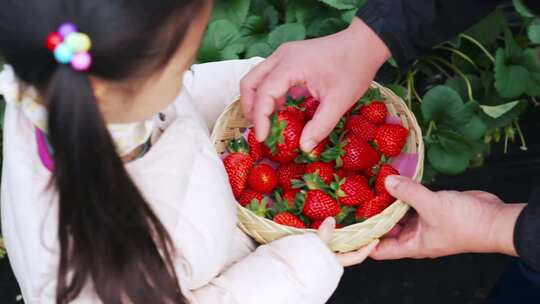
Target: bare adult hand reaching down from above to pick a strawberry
{"type": "Point", "coordinates": [336, 70]}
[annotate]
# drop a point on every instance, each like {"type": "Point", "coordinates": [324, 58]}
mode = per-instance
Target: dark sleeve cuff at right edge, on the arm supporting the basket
{"type": "Point", "coordinates": [527, 232]}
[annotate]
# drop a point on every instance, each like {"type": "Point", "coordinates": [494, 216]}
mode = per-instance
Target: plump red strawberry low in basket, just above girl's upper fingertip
{"type": "Point", "coordinates": [319, 205]}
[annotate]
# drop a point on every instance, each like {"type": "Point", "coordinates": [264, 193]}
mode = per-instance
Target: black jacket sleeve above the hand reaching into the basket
{"type": "Point", "coordinates": [412, 27]}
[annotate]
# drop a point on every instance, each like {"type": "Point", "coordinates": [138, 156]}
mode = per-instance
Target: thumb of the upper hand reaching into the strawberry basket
{"type": "Point", "coordinates": [323, 122]}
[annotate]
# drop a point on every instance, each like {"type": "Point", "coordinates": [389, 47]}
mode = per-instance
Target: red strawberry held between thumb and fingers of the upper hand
{"type": "Point", "coordinates": [284, 141]}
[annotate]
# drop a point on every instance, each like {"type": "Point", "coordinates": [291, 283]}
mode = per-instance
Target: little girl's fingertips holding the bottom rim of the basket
{"type": "Point", "coordinates": [345, 259]}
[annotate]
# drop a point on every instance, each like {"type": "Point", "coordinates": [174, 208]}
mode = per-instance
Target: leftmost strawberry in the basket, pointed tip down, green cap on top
{"type": "Point", "coordinates": [238, 165]}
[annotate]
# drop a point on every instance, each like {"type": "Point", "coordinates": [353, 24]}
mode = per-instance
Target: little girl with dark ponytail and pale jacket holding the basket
{"type": "Point", "coordinates": [111, 189]}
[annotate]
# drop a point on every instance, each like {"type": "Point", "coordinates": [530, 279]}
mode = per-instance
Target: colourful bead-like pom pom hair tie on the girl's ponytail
{"type": "Point", "coordinates": [71, 47]}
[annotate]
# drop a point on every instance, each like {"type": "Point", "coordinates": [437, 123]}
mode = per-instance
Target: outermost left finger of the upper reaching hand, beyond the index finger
{"type": "Point", "coordinates": [251, 81]}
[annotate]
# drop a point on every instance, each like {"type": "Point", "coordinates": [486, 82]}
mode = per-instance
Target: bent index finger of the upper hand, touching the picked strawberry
{"type": "Point", "coordinates": [270, 91]}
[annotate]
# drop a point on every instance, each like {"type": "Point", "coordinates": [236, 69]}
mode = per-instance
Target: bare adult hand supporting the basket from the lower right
{"type": "Point", "coordinates": [448, 222]}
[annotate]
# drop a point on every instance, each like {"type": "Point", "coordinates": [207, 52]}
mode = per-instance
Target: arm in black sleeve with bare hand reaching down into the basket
{"type": "Point", "coordinates": [338, 69]}
